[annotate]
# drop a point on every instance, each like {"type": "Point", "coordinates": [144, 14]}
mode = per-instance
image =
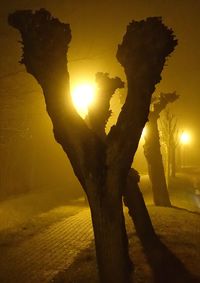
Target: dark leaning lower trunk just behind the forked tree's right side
{"type": "Point", "coordinates": [133, 199]}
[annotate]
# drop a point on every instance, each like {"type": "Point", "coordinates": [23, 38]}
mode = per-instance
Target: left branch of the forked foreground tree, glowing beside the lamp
{"type": "Point", "coordinates": [45, 44]}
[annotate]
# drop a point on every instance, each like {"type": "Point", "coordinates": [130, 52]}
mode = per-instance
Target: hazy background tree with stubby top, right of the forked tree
{"type": "Point", "coordinates": [153, 154]}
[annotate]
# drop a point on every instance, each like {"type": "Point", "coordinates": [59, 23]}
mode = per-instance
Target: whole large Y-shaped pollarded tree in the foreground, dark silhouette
{"type": "Point", "coordinates": [101, 163]}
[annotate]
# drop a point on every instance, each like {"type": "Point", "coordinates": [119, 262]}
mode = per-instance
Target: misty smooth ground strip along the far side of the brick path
{"type": "Point", "coordinates": [21, 209]}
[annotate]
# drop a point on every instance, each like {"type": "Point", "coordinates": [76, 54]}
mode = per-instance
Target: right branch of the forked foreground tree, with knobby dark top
{"type": "Point", "coordinates": [142, 53]}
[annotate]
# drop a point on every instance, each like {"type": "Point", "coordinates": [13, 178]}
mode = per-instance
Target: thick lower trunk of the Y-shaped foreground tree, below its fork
{"type": "Point", "coordinates": [110, 236]}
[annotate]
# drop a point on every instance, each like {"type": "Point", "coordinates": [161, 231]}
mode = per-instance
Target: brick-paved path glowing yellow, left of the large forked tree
{"type": "Point", "coordinates": [40, 258]}
